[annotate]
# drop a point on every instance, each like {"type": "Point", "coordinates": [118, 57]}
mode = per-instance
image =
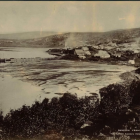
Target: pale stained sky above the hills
{"type": "Point", "coordinates": [24, 16]}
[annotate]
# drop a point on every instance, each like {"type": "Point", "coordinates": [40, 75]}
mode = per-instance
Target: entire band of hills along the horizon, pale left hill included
{"type": "Point", "coordinates": [71, 39]}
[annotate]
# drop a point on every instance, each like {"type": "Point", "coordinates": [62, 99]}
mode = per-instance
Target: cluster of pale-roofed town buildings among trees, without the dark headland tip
{"type": "Point", "coordinates": [110, 50]}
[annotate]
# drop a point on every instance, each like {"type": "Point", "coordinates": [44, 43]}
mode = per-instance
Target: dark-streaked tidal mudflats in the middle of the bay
{"type": "Point", "coordinates": [55, 86]}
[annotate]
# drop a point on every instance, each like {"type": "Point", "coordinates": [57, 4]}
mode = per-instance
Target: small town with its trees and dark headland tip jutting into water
{"type": "Point", "coordinates": [108, 52]}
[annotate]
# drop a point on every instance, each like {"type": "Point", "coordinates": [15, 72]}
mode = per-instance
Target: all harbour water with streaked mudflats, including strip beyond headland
{"type": "Point", "coordinates": [81, 78]}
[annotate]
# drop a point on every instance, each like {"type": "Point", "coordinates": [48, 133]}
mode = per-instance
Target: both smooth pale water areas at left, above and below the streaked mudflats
{"type": "Point", "coordinates": [13, 92]}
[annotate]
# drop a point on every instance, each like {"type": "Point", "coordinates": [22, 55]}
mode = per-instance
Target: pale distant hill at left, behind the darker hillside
{"type": "Point", "coordinates": [26, 35]}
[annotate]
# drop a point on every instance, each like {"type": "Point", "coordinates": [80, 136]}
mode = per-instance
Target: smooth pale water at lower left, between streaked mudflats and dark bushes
{"type": "Point", "coordinates": [14, 93]}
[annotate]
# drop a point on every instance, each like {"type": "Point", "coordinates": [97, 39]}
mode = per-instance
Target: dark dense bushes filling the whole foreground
{"type": "Point", "coordinates": [69, 117]}
